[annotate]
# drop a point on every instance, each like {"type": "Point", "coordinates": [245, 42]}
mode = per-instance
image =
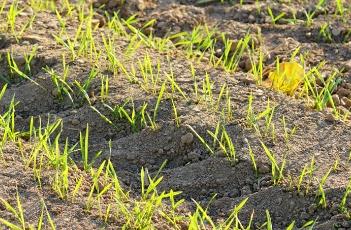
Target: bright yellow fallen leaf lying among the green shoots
{"type": "Point", "coordinates": [287, 77]}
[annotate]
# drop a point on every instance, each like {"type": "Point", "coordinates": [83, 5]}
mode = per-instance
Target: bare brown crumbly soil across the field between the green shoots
{"type": "Point", "coordinates": [189, 167]}
